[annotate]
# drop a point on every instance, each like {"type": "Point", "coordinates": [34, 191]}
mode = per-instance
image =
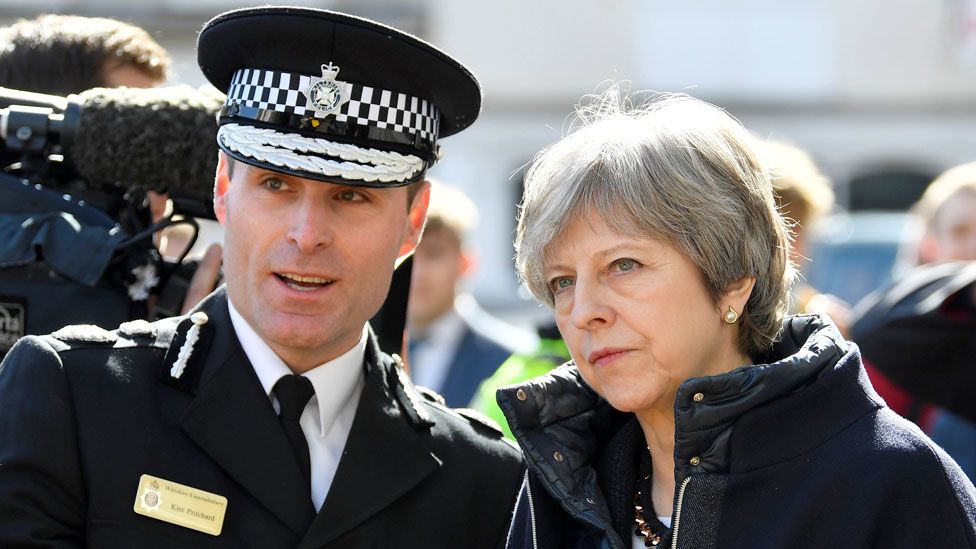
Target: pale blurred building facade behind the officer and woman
{"type": "Point", "coordinates": [883, 93]}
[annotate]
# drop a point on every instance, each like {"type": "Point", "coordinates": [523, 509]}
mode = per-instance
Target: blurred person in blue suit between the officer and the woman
{"type": "Point", "coordinates": [454, 343]}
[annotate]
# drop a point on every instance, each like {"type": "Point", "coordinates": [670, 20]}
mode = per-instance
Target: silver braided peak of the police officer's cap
{"type": "Point", "coordinates": [267, 145]}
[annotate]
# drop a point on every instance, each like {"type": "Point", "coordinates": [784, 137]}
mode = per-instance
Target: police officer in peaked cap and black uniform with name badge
{"type": "Point", "coordinates": [268, 417]}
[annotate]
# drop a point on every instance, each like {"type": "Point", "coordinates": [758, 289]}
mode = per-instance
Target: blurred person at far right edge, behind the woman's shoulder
{"type": "Point", "coordinates": [921, 332]}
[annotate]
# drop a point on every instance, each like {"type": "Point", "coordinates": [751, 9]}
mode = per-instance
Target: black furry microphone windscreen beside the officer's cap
{"type": "Point", "coordinates": [163, 139]}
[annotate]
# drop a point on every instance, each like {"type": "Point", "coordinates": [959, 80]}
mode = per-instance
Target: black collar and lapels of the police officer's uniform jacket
{"type": "Point", "coordinates": [232, 420]}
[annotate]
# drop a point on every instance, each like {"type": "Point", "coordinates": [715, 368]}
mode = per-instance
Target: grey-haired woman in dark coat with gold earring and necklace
{"type": "Point", "coordinates": [694, 412]}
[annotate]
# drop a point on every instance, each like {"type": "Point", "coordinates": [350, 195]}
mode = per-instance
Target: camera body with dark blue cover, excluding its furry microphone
{"type": "Point", "coordinates": [73, 252]}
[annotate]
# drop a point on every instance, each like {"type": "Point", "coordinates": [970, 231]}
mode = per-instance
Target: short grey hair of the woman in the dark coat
{"type": "Point", "coordinates": [671, 168]}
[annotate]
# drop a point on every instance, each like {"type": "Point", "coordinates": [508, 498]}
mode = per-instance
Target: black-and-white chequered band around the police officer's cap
{"type": "Point", "coordinates": [367, 106]}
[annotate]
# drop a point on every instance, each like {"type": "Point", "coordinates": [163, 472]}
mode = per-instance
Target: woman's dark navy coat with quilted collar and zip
{"type": "Point", "coordinates": [795, 452]}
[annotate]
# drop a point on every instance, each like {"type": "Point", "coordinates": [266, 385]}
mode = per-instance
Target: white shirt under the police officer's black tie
{"type": "Point", "coordinates": [327, 418]}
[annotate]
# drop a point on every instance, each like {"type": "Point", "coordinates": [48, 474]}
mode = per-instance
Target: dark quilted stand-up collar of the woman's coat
{"type": "Point", "coordinates": [560, 413]}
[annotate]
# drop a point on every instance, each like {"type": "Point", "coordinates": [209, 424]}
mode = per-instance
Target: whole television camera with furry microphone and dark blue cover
{"type": "Point", "coordinates": [78, 243]}
